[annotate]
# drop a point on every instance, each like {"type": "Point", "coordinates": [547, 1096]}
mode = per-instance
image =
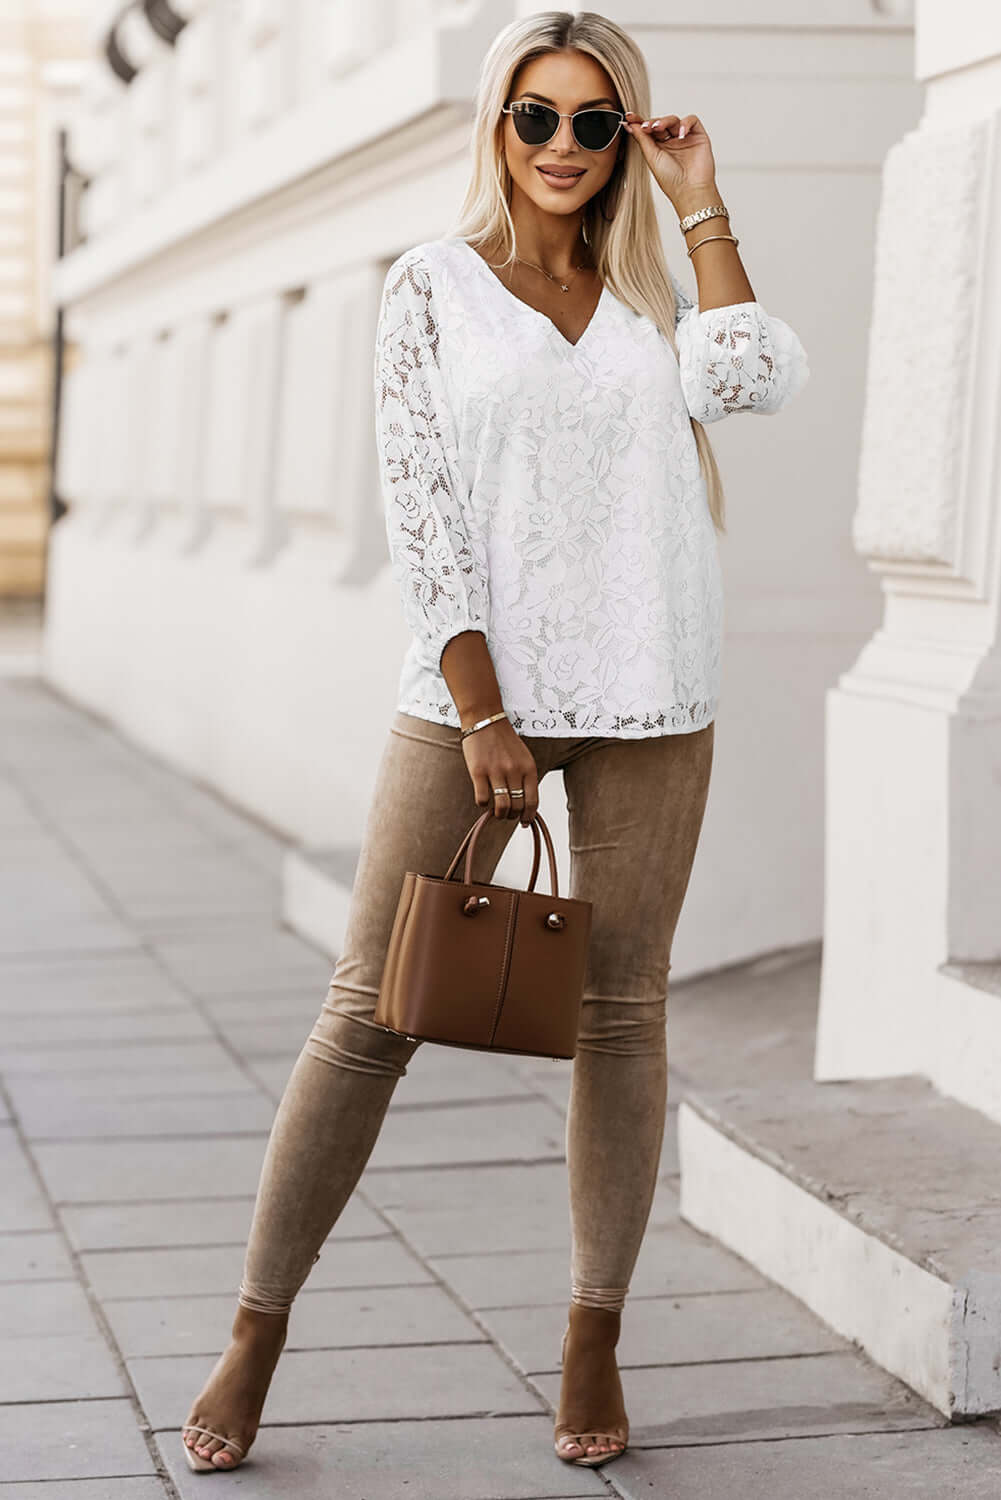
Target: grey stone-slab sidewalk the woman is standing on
{"type": "Point", "coordinates": [151, 1009]}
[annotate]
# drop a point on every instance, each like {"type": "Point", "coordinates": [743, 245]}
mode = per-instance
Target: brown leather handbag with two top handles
{"type": "Point", "coordinates": [487, 967]}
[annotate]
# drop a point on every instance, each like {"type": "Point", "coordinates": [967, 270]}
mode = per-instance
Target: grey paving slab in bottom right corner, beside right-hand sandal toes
{"type": "Point", "coordinates": [960, 1463]}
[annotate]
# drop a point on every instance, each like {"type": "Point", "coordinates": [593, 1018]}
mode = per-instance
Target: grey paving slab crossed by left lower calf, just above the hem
{"type": "Point", "coordinates": [184, 1273]}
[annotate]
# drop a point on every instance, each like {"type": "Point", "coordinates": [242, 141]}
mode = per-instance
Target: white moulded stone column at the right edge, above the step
{"type": "Point", "coordinates": [913, 872]}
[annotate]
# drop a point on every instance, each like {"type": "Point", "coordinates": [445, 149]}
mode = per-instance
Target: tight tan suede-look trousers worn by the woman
{"type": "Point", "coordinates": [636, 812]}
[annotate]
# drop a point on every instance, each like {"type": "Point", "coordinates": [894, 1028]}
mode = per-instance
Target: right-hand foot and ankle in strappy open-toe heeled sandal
{"type": "Point", "coordinates": [592, 1412]}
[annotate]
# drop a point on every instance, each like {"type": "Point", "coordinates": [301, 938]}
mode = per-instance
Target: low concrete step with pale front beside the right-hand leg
{"type": "Point", "coordinates": [877, 1204]}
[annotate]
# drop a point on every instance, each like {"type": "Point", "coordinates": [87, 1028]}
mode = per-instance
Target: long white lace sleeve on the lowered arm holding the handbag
{"type": "Point", "coordinates": [437, 556]}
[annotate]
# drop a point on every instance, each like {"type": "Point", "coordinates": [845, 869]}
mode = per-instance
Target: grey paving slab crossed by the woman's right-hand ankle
{"type": "Point", "coordinates": [676, 1331]}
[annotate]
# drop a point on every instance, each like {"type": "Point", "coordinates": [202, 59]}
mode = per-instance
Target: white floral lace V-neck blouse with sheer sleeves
{"type": "Point", "coordinates": [550, 494]}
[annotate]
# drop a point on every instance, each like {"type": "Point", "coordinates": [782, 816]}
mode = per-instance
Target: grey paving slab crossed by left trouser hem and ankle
{"type": "Point", "coordinates": [338, 1319]}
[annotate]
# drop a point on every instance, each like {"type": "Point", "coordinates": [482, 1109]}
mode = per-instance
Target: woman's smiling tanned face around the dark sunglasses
{"type": "Point", "coordinates": [568, 80]}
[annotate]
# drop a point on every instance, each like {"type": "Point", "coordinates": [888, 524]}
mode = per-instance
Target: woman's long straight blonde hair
{"type": "Point", "coordinates": [628, 253]}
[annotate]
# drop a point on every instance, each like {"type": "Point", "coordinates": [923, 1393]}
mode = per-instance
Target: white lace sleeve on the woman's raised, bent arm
{"type": "Point", "coordinates": [736, 359]}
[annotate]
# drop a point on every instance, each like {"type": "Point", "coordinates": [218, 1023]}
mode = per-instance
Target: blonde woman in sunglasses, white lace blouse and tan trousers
{"type": "Point", "coordinates": [552, 506]}
